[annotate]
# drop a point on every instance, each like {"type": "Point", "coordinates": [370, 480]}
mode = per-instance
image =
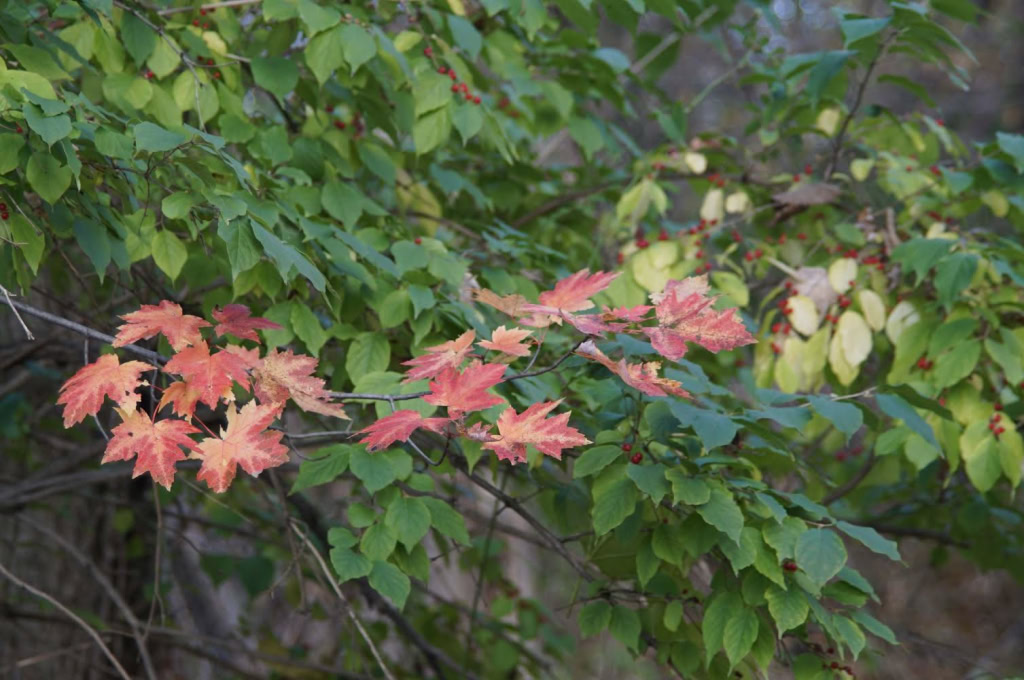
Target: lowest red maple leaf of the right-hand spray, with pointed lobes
{"type": "Point", "coordinates": [549, 436]}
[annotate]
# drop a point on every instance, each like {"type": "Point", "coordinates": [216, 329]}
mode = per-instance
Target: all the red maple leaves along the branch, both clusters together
{"type": "Point", "coordinates": [684, 314]}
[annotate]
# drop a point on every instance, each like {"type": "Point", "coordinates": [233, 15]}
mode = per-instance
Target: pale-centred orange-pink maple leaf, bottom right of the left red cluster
{"type": "Point", "coordinates": [246, 442]}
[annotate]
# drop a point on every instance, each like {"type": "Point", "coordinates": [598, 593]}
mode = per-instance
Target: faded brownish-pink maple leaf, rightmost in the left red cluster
{"type": "Point", "coordinates": [282, 376]}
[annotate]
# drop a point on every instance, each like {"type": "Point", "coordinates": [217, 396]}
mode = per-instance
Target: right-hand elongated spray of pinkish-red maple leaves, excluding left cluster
{"type": "Point", "coordinates": [684, 314]}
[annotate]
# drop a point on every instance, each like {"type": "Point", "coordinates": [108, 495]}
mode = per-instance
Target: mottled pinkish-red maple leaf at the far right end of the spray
{"type": "Point", "coordinates": [685, 315]}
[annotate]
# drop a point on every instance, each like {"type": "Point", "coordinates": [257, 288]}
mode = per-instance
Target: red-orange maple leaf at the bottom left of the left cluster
{"type": "Point", "coordinates": [157, 445]}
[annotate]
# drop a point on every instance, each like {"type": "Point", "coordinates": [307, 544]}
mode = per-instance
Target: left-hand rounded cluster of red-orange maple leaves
{"type": "Point", "coordinates": [207, 377]}
